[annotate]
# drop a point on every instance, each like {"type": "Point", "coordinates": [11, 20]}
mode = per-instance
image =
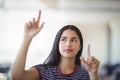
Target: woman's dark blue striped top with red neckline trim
{"type": "Point", "coordinates": [54, 73]}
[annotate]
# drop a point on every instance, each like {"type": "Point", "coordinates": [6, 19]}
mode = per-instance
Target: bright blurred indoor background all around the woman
{"type": "Point", "coordinates": [98, 20]}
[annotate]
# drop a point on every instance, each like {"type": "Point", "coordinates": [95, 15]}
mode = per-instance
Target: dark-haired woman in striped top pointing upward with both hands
{"type": "Point", "coordinates": [64, 61]}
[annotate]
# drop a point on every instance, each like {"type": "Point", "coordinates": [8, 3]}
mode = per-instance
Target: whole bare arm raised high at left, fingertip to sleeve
{"type": "Point", "coordinates": [31, 29]}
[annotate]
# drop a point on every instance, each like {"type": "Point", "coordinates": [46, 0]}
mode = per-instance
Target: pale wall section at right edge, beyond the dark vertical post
{"type": "Point", "coordinates": [115, 41]}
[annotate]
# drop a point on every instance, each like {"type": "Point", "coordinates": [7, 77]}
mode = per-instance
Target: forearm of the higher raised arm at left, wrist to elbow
{"type": "Point", "coordinates": [20, 61]}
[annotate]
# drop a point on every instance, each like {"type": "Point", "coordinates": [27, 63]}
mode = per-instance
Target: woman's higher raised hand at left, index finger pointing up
{"type": "Point", "coordinates": [33, 27]}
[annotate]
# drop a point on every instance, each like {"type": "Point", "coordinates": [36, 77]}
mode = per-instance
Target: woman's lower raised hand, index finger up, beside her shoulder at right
{"type": "Point", "coordinates": [91, 64]}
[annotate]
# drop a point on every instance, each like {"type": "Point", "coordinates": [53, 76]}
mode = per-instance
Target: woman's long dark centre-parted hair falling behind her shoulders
{"type": "Point", "coordinates": [54, 57]}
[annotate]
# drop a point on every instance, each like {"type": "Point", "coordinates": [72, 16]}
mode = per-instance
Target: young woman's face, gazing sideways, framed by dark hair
{"type": "Point", "coordinates": [69, 44]}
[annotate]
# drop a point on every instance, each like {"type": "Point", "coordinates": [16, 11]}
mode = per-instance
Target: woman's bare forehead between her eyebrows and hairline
{"type": "Point", "coordinates": [69, 33]}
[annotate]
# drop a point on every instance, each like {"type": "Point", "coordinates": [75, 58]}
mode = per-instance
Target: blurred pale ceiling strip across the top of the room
{"type": "Point", "coordinates": [66, 5]}
